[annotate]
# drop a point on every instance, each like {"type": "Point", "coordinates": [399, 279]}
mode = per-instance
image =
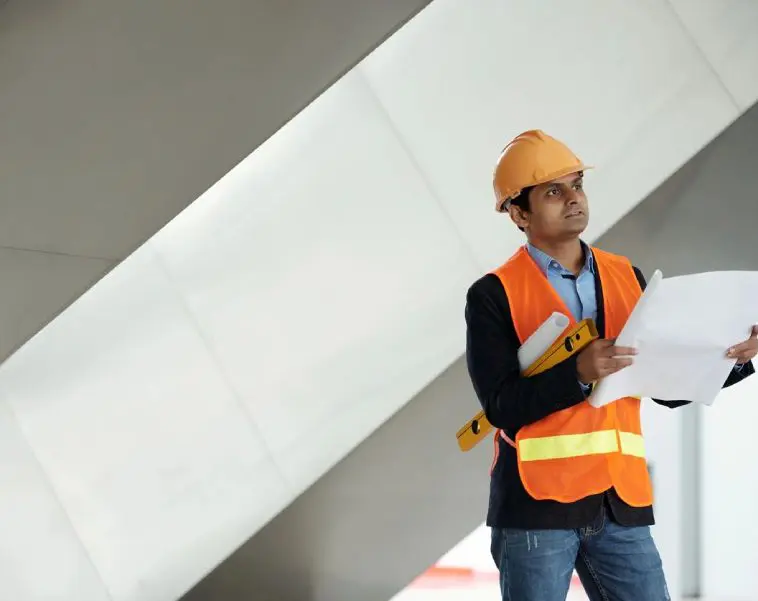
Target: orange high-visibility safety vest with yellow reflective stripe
{"type": "Point", "coordinates": [579, 451]}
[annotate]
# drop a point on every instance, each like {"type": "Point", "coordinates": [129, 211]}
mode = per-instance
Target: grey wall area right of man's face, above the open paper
{"type": "Point", "coordinates": [702, 218]}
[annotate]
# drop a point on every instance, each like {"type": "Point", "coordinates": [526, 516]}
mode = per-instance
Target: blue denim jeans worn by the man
{"type": "Point", "coordinates": [614, 563]}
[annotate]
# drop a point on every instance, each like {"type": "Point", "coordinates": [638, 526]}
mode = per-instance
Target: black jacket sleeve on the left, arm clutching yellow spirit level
{"type": "Point", "coordinates": [509, 400]}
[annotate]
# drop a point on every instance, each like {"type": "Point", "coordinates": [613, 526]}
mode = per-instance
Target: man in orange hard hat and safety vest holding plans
{"type": "Point", "coordinates": [569, 484]}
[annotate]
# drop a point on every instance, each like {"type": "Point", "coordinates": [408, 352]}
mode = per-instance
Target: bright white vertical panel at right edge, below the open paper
{"type": "Point", "coordinates": [729, 488]}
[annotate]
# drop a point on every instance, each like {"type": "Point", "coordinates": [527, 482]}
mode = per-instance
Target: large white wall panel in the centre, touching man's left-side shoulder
{"type": "Point", "coordinates": [326, 279]}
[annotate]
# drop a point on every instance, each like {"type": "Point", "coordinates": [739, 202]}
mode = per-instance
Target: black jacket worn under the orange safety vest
{"type": "Point", "coordinates": [511, 402]}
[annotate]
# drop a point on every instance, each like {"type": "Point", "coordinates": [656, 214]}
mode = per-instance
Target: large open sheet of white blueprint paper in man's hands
{"type": "Point", "coordinates": [682, 328]}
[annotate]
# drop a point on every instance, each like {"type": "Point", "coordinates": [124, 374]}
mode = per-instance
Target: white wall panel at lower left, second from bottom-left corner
{"type": "Point", "coordinates": [148, 449]}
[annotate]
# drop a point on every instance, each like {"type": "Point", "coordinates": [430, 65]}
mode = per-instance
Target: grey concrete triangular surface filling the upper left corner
{"type": "Point", "coordinates": [114, 116]}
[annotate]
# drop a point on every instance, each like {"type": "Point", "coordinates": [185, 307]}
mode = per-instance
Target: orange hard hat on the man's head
{"type": "Point", "coordinates": [530, 159]}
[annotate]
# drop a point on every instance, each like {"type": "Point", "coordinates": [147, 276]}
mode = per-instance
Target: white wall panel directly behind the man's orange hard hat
{"type": "Point", "coordinates": [602, 75]}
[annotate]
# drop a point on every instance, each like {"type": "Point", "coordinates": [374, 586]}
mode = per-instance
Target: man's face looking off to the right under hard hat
{"type": "Point", "coordinates": [557, 210]}
